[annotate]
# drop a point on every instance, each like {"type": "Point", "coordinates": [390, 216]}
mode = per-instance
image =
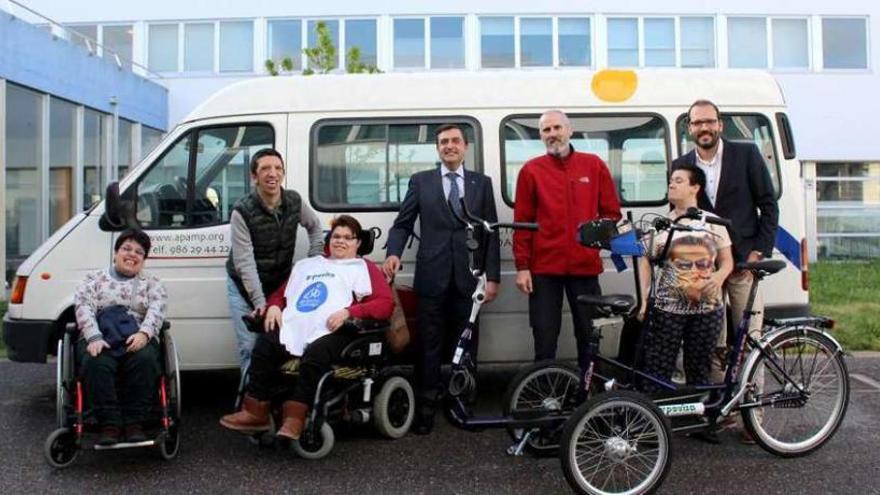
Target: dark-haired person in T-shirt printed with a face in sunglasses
{"type": "Point", "coordinates": [689, 306]}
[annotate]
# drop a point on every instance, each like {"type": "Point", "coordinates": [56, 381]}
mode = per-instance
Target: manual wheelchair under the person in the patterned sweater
{"type": "Point", "coordinates": [75, 419]}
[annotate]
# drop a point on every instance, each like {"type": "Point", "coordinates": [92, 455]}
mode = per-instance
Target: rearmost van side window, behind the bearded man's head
{"type": "Point", "coordinates": [742, 128]}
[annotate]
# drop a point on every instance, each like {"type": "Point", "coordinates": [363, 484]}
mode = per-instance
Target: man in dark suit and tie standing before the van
{"type": "Point", "coordinates": [443, 282]}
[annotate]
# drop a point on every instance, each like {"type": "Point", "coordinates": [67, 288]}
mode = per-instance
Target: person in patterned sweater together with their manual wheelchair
{"type": "Point", "coordinates": [117, 365]}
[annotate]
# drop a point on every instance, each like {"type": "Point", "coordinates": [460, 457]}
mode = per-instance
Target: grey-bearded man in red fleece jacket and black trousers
{"type": "Point", "coordinates": [559, 190]}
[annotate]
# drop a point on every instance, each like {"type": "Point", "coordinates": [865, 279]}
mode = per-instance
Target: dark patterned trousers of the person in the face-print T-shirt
{"type": "Point", "coordinates": [666, 331]}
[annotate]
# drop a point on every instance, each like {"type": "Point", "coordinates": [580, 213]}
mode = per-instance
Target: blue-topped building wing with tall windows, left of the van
{"type": "Point", "coordinates": [70, 123]}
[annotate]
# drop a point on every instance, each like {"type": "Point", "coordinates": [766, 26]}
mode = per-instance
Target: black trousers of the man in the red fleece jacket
{"type": "Point", "coordinates": [545, 312]}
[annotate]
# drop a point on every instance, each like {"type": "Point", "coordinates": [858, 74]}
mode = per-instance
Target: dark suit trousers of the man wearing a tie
{"type": "Point", "coordinates": [440, 321]}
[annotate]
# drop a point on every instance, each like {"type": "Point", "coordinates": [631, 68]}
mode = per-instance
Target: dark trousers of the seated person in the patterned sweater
{"type": "Point", "coordinates": [135, 401]}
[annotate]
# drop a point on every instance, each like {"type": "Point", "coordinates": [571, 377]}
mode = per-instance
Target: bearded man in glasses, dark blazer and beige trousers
{"type": "Point", "coordinates": [738, 187]}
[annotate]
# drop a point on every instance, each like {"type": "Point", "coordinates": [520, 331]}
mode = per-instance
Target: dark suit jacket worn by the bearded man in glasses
{"type": "Point", "coordinates": [744, 191]}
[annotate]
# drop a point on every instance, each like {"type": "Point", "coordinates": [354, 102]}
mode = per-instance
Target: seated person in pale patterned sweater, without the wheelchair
{"type": "Point", "coordinates": [119, 312]}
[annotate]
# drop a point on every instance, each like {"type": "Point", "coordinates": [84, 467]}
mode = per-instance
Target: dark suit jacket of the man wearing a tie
{"type": "Point", "coordinates": [442, 258]}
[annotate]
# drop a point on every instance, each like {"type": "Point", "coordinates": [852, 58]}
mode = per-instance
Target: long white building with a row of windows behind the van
{"type": "Point", "coordinates": [822, 54]}
